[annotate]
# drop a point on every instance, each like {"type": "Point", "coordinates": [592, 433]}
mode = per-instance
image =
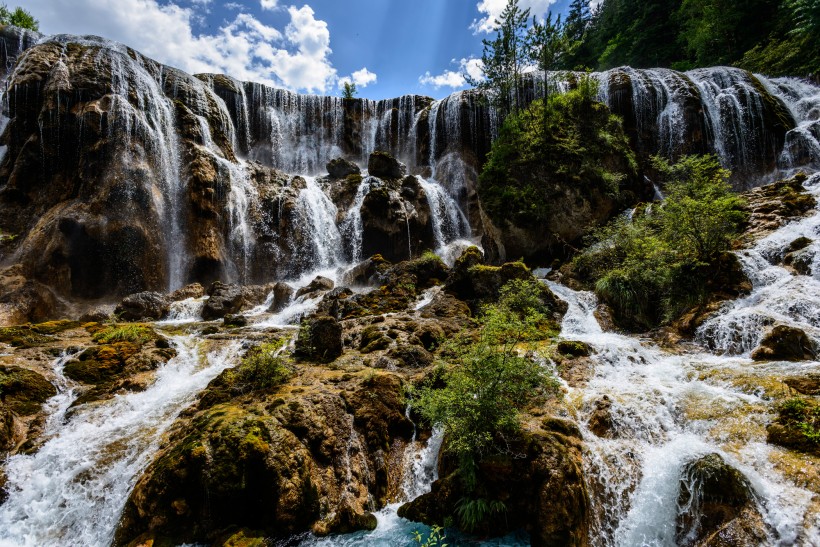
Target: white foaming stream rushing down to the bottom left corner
{"type": "Point", "coordinates": [71, 492]}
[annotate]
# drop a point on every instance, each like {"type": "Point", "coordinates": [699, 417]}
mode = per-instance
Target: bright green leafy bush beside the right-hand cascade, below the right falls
{"type": "Point", "coordinates": [653, 266]}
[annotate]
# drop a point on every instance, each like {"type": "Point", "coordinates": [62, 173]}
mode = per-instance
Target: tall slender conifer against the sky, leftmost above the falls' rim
{"type": "Point", "coordinates": [504, 59]}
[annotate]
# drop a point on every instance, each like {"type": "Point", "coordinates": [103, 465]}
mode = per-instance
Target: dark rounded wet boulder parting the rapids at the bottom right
{"type": "Point", "coordinates": [716, 500]}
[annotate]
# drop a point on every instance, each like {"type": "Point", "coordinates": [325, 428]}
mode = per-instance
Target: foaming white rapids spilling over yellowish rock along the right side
{"type": "Point", "coordinates": [668, 410]}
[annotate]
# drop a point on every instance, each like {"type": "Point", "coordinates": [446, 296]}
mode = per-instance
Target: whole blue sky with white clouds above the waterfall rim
{"type": "Point", "coordinates": [388, 47]}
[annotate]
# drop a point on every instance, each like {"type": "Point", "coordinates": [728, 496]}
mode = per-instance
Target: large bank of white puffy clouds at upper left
{"type": "Point", "coordinates": [244, 48]}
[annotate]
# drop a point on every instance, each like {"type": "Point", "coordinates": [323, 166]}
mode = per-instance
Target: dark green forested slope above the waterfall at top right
{"type": "Point", "coordinates": [771, 36]}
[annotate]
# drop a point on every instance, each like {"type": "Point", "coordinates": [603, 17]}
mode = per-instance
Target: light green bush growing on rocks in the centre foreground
{"type": "Point", "coordinates": [487, 381]}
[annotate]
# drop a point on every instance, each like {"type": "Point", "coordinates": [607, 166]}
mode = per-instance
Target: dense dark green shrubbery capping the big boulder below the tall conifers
{"type": "Point", "coordinates": [568, 141]}
